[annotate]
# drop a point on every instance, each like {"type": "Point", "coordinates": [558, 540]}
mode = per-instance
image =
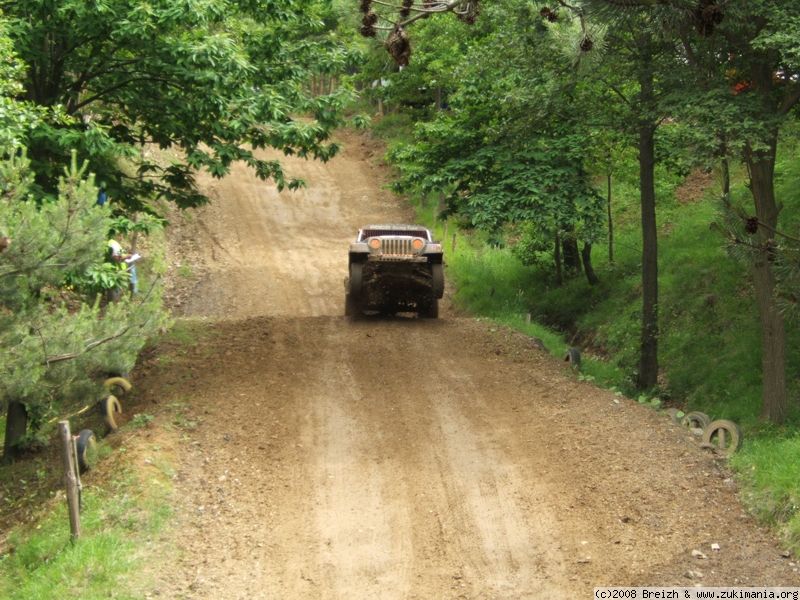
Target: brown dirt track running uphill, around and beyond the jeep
{"type": "Point", "coordinates": [406, 458]}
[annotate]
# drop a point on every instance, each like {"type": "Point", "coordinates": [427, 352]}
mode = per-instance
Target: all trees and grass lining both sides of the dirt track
{"type": "Point", "coordinates": [557, 145]}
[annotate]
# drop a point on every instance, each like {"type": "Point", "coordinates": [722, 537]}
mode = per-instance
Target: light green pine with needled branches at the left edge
{"type": "Point", "coordinates": [57, 337]}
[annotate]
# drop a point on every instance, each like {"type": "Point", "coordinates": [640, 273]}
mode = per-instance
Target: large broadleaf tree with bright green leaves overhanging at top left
{"type": "Point", "coordinates": [214, 79]}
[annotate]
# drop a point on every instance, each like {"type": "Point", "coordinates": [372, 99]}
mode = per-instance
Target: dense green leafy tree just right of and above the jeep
{"type": "Point", "coordinates": [510, 149]}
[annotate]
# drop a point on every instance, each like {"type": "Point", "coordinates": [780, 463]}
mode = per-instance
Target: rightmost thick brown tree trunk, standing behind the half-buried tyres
{"type": "Point", "coordinates": [774, 401]}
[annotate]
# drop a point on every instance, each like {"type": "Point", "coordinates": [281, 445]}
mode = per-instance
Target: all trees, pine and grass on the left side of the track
{"type": "Point", "coordinates": [108, 110]}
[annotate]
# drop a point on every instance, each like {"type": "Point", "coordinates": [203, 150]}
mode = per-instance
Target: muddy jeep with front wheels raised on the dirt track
{"type": "Point", "coordinates": [392, 269]}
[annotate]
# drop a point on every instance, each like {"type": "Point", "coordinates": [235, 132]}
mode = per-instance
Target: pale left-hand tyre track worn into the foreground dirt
{"type": "Point", "coordinates": [364, 534]}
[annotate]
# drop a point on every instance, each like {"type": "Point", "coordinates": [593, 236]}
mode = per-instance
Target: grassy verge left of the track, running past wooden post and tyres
{"type": "Point", "coordinates": [127, 496]}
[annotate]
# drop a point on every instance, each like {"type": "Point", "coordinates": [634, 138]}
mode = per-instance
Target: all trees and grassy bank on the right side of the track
{"type": "Point", "coordinates": [538, 136]}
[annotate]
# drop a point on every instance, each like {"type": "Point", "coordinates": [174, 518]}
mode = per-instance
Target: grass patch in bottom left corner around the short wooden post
{"type": "Point", "coordinates": [120, 514]}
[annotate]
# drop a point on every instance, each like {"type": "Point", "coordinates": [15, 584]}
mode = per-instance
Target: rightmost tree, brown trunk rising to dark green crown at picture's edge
{"type": "Point", "coordinates": [755, 60]}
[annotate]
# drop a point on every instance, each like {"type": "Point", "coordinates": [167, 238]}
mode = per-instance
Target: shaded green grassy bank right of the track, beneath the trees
{"type": "Point", "coordinates": [709, 348]}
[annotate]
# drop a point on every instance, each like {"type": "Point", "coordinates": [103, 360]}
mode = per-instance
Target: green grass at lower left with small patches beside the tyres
{"type": "Point", "coordinates": [122, 513]}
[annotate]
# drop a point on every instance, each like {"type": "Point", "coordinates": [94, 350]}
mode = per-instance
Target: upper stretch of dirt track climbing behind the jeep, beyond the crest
{"type": "Point", "coordinates": [264, 252]}
